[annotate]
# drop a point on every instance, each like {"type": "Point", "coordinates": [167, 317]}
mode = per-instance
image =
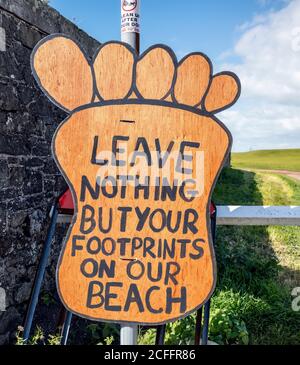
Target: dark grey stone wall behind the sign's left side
{"type": "Point", "coordinates": [29, 179]}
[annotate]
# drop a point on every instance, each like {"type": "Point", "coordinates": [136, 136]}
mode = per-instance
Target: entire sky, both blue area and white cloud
{"type": "Point", "coordinates": [257, 39]}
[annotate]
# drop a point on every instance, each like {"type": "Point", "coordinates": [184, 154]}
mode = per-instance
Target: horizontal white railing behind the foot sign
{"type": "Point", "coordinates": [246, 216]}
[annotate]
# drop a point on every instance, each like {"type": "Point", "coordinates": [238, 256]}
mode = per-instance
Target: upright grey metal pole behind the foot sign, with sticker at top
{"type": "Point", "coordinates": [130, 34]}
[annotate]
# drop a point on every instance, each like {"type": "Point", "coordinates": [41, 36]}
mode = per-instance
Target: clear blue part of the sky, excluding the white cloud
{"type": "Point", "coordinates": [211, 26]}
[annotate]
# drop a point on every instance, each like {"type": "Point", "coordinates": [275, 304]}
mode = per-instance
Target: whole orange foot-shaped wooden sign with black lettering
{"type": "Point", "coordinates": [141, 151]}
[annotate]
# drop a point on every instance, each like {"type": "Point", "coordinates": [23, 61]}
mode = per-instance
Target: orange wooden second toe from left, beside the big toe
{"type": "Point", "coordinates": [113, 71]}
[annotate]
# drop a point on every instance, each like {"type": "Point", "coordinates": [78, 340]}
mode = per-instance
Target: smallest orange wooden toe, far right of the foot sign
{"type": "Point", "coordinates": [222, 93]}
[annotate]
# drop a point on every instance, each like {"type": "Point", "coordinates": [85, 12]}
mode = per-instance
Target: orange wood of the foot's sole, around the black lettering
{"type": "Point", "coordinates": [196, 275]}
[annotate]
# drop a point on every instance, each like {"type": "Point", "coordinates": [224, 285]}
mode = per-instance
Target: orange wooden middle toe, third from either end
{"type": "Point", "coordinates": [155, 73]}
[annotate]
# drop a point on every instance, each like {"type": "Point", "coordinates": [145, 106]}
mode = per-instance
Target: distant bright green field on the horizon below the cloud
{"type": "Point", "coordinates": [269, 160]}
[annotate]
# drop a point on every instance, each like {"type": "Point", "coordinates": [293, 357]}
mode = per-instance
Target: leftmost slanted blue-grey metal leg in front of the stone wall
{"type": "Point", "coordinates": [40, 274]}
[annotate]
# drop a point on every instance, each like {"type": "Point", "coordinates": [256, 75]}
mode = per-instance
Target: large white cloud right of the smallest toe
{"type": "Point", "coordinates": [268, 113]}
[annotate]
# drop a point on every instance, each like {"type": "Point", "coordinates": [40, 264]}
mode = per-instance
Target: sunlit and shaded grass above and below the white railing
{"type": "Point", "coordinates": [257, 269]}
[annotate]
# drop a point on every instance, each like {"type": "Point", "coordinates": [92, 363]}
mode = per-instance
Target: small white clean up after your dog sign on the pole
{"type": "Point", "coordinates": [130, 16]}
